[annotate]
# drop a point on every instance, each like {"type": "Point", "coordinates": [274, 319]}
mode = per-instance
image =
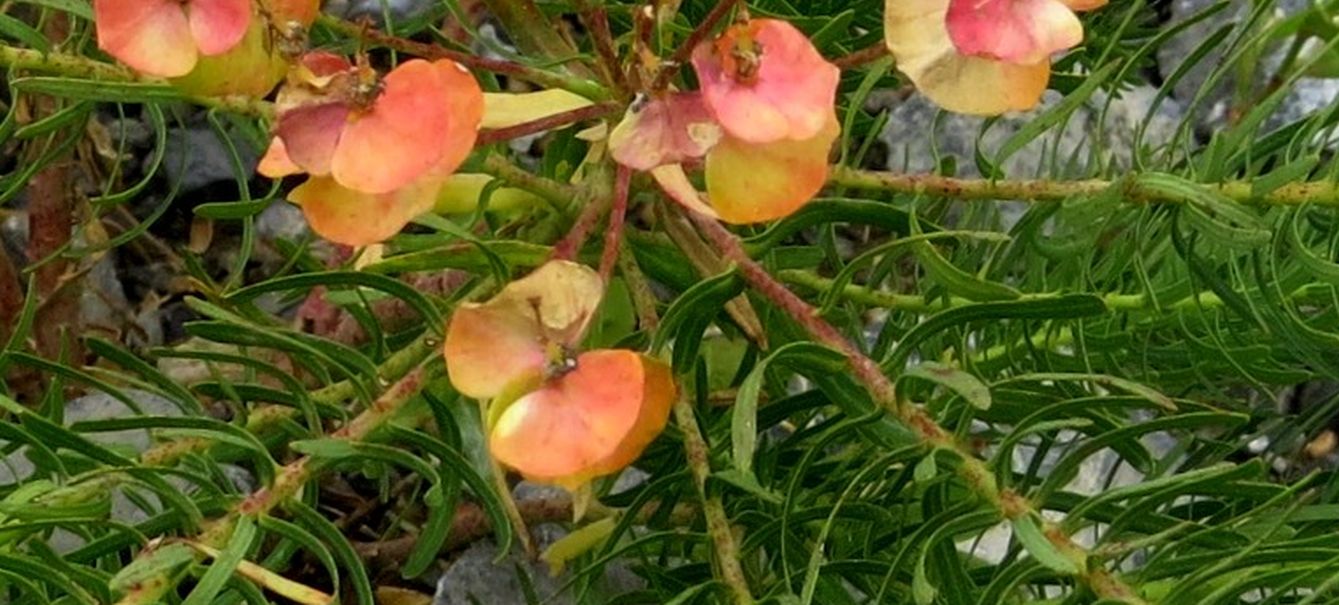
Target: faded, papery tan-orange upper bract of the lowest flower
{"type": "Point", "coordinates": [518, 334]}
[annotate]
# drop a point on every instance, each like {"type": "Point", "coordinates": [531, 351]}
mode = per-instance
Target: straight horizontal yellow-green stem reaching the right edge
{"type": "Point", "coordinates": [1041, 191]}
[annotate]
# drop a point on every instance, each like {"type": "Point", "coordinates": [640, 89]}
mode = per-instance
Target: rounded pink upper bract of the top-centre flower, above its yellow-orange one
{"type": "Point", "coordinates": [765, 81]}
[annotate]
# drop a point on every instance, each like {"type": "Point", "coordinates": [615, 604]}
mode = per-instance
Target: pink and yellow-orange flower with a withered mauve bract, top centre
{"type": "Point", "coordinates": [765, 122]}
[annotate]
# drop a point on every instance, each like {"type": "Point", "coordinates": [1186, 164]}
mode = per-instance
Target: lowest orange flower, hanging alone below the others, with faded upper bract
{"type": "Point", "coordinates": [558, 416]}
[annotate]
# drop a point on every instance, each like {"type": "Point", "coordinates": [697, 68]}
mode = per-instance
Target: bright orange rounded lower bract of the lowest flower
{"type": "Point", "coordinates": [588, 422]}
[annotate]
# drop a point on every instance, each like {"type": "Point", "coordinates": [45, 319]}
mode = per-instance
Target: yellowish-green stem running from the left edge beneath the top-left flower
{"type": "Point", "coordinates": [76, 66]}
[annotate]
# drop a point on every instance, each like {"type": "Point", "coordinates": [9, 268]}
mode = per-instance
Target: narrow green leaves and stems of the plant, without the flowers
{"type": "Point", "coordinates": [1092, 353]}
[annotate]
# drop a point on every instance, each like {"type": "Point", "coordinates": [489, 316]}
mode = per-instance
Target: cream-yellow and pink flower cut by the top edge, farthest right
{"type": "Point", "coordinates": [982, 57]}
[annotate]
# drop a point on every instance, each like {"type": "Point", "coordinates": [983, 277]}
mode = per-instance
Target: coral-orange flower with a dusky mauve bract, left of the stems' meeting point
{"type": "Point", "coordinates": [378, 149]}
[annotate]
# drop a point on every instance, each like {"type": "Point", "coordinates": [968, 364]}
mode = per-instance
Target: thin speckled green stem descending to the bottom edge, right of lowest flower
{"type": "Point", "coordinates": [718, 525]}
